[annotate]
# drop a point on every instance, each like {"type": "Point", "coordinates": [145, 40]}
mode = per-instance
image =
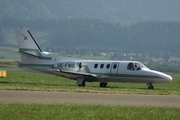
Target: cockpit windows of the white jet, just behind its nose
{"type": "Point", "coordinates": [135, 66]}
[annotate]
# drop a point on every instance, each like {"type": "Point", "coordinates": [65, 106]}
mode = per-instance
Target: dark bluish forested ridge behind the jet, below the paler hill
{"type": "Point", "coordinates": [101, 35]}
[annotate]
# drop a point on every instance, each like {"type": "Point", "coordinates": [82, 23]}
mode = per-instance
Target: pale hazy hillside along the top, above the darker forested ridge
{"type": "Point", "coordinates": [122, 11]}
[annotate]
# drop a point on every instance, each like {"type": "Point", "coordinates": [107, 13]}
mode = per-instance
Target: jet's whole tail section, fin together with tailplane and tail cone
{"type": "Point", "coordinates": [29, 50]}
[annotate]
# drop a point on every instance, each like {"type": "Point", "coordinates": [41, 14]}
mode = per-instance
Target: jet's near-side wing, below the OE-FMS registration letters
{"type": "Point", "coordinates": [76, 73]}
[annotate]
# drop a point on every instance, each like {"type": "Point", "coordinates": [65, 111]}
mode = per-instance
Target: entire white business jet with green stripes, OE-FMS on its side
{"type": "Point", "coordinates": [103, 71]}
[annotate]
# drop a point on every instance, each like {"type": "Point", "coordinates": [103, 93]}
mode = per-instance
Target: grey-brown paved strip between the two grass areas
{"type": "Point", "coordinates": [7, 96]}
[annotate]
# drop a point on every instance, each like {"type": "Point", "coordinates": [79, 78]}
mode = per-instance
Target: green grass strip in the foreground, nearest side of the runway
{"type": "Point", "coordinates": [68, 111]}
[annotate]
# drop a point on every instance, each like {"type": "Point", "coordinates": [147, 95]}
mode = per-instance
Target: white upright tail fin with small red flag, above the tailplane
{"type": "Point", "coordinates": [27, 45]}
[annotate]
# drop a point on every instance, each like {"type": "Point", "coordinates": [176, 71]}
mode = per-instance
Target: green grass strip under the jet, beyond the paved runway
{"type": "Point", "coordinates": [45, 82]}
